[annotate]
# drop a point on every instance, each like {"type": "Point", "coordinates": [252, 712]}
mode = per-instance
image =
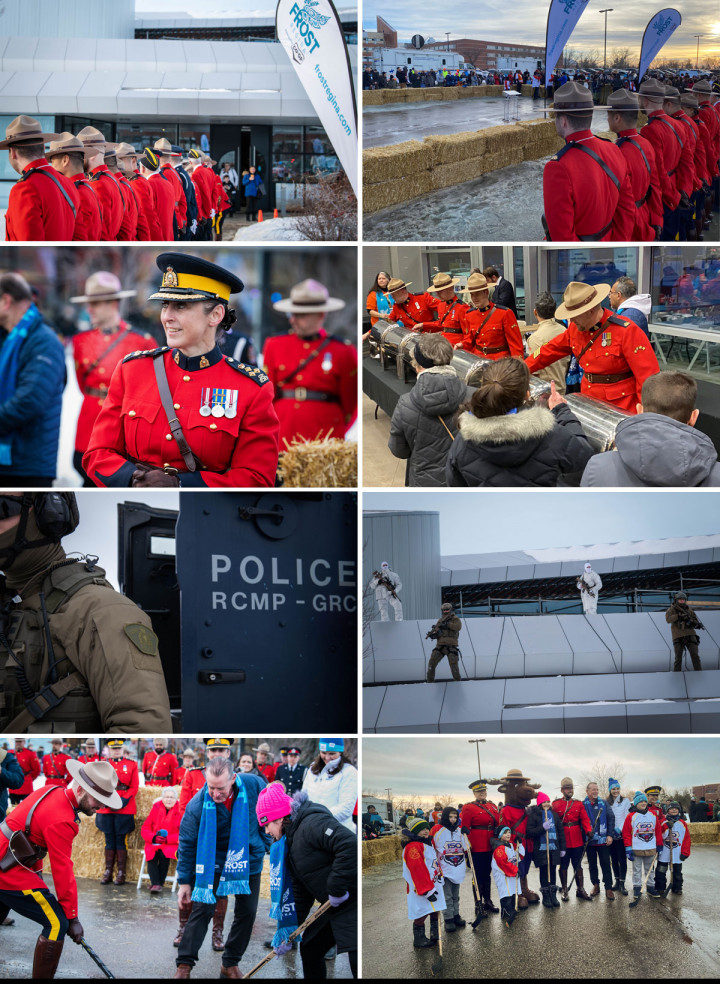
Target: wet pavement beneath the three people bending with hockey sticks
{"type": "Point", "coordinates": [132, 933]}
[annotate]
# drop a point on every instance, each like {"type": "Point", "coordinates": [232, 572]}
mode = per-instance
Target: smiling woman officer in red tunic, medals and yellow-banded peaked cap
{"type": "Point", "coordinates": [185, 414]}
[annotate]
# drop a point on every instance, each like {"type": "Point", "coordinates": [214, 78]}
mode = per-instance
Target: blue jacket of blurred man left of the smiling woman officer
{"type": "Point", "coordinates": [32, 414]}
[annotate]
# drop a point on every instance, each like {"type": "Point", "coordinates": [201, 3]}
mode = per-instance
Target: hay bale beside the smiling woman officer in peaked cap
{"type": "Point", "coordinates": [324, 463]}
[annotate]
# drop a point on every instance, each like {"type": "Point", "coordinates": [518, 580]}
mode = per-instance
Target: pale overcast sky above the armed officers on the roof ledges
{"type": "Point", "coordinates": [479, 521]}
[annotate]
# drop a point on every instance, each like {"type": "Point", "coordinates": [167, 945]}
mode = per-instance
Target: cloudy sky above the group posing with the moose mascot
{"type": "Point", "coordinates": [440, 766]}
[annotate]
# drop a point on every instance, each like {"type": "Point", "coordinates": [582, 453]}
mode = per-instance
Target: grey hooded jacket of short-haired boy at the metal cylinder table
{"type": "Point", "coordinates": [655, 450]}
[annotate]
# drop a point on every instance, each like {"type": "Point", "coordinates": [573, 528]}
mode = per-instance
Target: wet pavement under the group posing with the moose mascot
{"type": "Point", "coordinates": [679, 934]}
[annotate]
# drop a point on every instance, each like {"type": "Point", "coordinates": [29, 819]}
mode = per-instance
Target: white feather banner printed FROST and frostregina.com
{"type": "Point", "coordinates": [311, 34]}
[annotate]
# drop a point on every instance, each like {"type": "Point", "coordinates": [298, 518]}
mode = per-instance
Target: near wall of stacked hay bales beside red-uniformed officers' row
{"type": "Point", "coordinates": [414, 168]}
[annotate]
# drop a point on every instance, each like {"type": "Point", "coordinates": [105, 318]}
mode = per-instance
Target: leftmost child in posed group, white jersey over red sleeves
{"type": "Point", "coordinates": [421, 870]}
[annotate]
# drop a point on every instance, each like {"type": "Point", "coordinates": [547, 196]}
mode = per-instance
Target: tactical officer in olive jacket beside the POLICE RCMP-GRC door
{"type": "Point", "coordinates": [74, 653]}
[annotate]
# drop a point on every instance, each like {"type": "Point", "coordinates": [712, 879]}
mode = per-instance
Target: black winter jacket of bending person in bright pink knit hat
{"type": "Point", "coordinates": [322, 857]}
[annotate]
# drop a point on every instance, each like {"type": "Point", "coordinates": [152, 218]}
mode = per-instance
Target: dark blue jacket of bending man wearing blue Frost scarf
{"type": "Point", "coordinates": [190, 829]}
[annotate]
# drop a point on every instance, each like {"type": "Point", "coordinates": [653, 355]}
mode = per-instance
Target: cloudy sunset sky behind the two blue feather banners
{"type": "Point", "coordinates": [525, 22]}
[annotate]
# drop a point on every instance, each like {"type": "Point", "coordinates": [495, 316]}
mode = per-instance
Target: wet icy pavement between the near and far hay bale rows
{"type": "Point", "coordinates": [394, 123]}
